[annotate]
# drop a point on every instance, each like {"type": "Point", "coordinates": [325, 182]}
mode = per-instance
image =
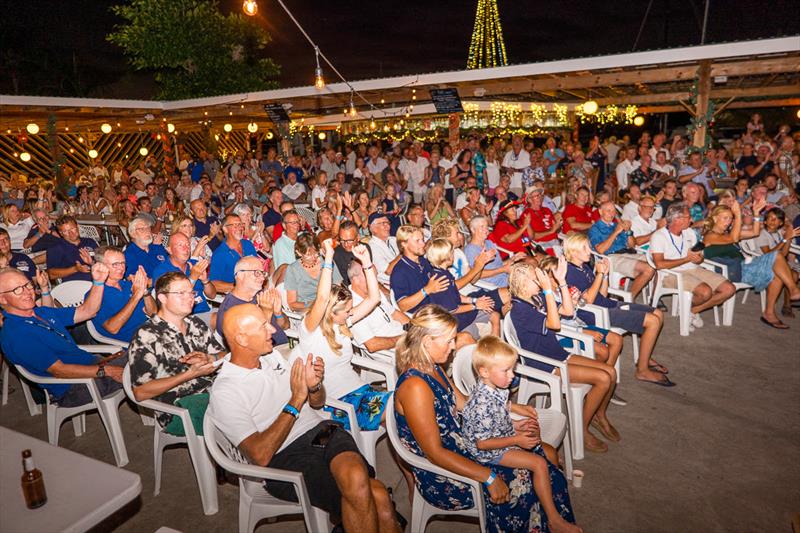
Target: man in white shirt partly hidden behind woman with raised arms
{"type": "Point", "coordinates": [383, 326]}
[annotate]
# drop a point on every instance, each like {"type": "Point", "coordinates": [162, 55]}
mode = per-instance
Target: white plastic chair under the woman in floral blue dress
{"type": "Point", "coordinates": [421, 510]}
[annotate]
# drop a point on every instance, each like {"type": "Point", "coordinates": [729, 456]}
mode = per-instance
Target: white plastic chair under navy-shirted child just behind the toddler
{"type": "Point", "coordinates": [574, 392]}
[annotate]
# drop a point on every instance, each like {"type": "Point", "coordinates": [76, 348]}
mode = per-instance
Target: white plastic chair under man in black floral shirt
{"type": "Point", "coordinates": [203, 467]}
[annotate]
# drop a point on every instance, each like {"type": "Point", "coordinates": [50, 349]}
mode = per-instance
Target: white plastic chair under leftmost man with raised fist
{"type": "Point", "coordinates": [107, 408]}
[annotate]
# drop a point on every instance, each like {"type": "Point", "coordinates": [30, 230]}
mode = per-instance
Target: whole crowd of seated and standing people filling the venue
{"type": "Point", "coordinates": [414, 249]}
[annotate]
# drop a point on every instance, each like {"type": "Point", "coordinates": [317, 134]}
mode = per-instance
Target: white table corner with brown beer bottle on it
{"type": "Point", "coordinates": [81, 491]}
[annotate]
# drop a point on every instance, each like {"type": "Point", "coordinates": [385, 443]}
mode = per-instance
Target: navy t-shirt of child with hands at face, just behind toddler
{"type": "Point", "coordinates": [531, 327]}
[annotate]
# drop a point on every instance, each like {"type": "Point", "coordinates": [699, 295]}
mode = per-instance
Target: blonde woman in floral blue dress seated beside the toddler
{"type": "Point", "coordinates": [426, 413]}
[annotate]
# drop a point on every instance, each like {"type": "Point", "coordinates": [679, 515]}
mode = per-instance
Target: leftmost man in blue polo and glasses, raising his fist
{"type": "Point", "coordinates": [37, 338]}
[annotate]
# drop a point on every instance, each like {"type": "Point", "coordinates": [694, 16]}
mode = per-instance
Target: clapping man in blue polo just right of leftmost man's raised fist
{"type": "Point", "coordinates": [126, 304]}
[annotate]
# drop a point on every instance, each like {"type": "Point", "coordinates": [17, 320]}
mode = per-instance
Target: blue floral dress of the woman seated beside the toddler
{"type": "Point", "coordinates": [521, 513]}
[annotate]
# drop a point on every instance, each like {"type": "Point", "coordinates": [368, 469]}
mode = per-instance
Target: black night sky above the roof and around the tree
{"type": "Point", "coordinates": [58, 48]}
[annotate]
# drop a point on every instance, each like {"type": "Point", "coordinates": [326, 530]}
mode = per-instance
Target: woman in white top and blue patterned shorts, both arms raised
{"type": "Point", "coordinates": [324, 332]}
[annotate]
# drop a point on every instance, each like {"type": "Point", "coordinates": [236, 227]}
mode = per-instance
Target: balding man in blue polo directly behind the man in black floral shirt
{"type": "Point", "coordinates": [180, 250]}
